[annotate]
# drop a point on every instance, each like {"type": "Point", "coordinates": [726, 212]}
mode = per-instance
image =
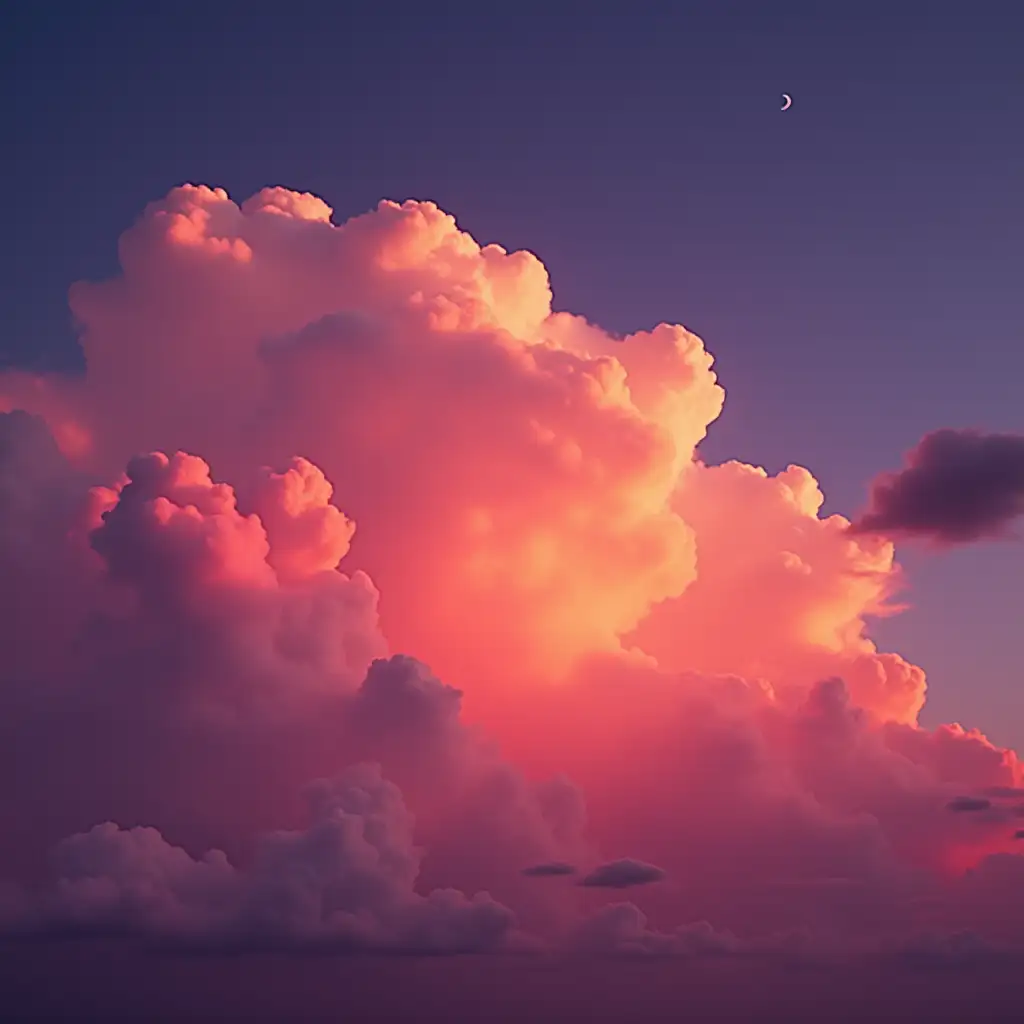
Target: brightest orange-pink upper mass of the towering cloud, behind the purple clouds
{"type": "Point", "coordinates": [571, 515]}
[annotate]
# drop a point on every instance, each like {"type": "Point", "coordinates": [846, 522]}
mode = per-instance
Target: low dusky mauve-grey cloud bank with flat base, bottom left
{"type": "Point", "coordinates": [346, 883]}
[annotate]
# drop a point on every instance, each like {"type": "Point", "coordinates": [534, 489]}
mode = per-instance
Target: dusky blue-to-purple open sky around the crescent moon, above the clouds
{"type": "Point", "coordinates": [855, 264]}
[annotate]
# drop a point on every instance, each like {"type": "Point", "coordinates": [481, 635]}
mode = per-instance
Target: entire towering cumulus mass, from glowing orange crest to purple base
{"type": "Point", "coordinates": [309, 461]}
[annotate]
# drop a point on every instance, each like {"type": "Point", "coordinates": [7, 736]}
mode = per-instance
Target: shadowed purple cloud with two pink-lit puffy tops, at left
{"type": "Point", "coordinates": [193, 636]}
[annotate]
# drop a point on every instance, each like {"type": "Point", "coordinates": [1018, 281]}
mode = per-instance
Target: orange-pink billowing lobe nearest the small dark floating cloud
{"type": "Point", "coordinates": [759, 535]}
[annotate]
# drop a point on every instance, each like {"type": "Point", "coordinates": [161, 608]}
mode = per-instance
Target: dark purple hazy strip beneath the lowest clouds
{"type": "Point", "coordinates": [275, 989]}
